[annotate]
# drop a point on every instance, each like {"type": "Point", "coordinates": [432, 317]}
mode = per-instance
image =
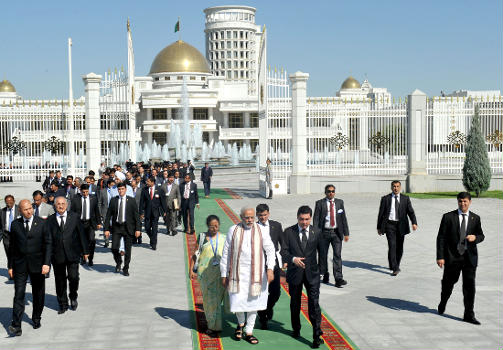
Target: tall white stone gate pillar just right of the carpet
{"type": "Point", "coordinates": [299, 180]}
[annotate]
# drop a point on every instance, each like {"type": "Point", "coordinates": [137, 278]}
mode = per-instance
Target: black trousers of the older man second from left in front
{"type": "Point", "coordinates": [62, 272]}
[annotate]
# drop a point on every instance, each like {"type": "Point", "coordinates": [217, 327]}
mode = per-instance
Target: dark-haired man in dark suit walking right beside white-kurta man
{"type": "Point", "coordinates": [301, 244]}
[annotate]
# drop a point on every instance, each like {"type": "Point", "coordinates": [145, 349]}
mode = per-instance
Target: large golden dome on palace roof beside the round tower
{"type": "Point", "coordinates": [179, 57]}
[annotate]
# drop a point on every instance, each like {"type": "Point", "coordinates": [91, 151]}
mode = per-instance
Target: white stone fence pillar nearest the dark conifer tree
{"type": "Point", "coordinates": [417, 178]}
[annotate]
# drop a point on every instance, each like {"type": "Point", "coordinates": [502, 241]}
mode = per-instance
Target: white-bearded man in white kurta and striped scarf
{"type": "Point", "coordinates": [242, 295]}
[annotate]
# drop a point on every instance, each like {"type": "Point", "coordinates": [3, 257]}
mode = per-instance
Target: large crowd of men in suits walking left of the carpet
{"type": "Point", "coordinates": [59, 226]}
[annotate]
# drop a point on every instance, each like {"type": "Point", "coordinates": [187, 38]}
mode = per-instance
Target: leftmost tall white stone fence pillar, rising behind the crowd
{"type": "Point", "coordinates": [93, 139]}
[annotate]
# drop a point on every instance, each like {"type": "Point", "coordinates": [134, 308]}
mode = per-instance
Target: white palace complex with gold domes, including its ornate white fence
{"type": "Point", "coordinates": [224, 103]}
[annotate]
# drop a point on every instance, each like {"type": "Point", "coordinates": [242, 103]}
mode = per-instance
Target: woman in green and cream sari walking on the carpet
{"type": "Point", "coordinates": [208, 273]}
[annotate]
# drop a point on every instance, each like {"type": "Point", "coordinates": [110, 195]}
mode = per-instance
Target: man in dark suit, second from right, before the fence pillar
{"type": "Point", "coordinates": [392, 221]}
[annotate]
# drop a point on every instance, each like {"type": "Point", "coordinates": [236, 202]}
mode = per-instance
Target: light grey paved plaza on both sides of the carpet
{"type": "Point", "coordinates": [149, 310]}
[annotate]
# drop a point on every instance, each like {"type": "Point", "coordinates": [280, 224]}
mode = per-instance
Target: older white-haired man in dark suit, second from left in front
{"type": "Point", "coordinates": [69, 243]}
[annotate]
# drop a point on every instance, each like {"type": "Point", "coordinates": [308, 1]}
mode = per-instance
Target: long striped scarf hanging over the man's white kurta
{"type": "Point", "coordinates": [256, 256]}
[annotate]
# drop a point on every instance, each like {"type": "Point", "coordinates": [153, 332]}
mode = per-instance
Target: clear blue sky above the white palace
{"type": "Point", "coordinates": [401, 45]}
